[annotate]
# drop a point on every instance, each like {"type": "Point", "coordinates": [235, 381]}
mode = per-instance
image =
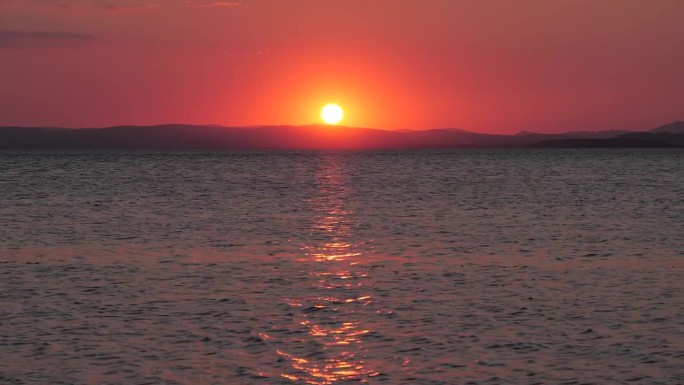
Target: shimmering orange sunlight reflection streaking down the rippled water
{"type": "Point", "coordinates": [339, 292]}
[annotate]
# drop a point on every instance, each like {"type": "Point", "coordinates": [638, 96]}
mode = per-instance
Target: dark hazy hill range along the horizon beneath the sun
{"type": "Point", "coordinates": [212, 137]}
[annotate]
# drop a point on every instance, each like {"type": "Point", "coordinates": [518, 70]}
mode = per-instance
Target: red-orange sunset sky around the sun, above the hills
{"type": "Point", "coordinates": [496, 66]}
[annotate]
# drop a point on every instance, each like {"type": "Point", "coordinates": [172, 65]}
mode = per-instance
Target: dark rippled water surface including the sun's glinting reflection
{"type": "Point", "coordinates": [453, 267]}
